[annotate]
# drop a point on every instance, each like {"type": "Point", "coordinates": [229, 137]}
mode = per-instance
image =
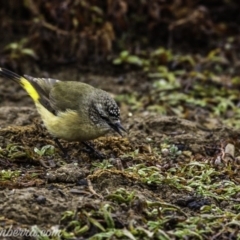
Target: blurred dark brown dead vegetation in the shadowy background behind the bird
{"type": "Point", "coordinates": [91, 32]}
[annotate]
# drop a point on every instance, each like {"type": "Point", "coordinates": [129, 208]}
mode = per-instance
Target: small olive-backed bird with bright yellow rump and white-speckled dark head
{"type": "Point", "coordinates": [73, 111]}
